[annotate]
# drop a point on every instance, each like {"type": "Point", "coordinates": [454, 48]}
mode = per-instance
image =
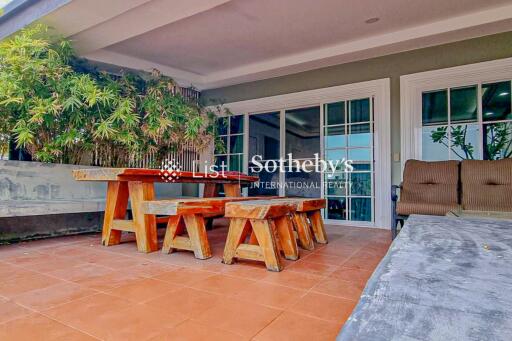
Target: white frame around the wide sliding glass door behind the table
{"type": "Point", "coordinates": [380, 91]}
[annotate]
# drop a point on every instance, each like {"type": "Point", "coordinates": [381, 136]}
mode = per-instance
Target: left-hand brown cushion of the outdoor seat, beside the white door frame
{"type": "Point", "coordinates": [429, 187]}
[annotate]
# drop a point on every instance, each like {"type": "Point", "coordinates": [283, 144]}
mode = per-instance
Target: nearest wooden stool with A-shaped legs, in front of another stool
{"type": "Point", "coordinates": [270, 223]}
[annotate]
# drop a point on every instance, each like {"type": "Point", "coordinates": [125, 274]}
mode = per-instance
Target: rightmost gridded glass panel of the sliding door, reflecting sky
{"type": "Point", "coordinates": [348, 134]}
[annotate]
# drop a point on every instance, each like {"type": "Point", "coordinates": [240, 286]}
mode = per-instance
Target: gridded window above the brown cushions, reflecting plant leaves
{"type": "Point", "coordinates": [469, 122]}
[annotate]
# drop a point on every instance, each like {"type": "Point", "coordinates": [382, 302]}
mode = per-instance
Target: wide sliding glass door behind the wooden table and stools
{"type": "Point", "coordinates": [283, 139]}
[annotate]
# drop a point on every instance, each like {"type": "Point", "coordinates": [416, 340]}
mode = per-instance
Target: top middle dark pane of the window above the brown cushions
{"type": "Point", "coordinates": [463, 104]}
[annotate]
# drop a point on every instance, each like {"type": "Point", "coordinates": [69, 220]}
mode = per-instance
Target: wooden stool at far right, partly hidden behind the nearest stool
{"type": "Point", "coordinates": [307, 220]}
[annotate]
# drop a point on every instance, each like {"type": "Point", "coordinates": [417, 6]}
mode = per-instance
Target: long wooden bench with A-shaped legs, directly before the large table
{"type": "Point", "coordinates": [188, 215]}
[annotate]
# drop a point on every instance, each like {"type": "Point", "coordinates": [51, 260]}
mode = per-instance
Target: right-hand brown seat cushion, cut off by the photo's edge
{"type": "Point", "coordinates": [487, 185]}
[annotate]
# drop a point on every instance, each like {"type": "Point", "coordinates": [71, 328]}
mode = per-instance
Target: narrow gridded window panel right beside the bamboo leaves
{"type": "Point", "coordinates": [231, 149]}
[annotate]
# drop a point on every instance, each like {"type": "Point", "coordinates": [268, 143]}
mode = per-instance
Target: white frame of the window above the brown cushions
{"type": "Point", "coordinates": [412, 87]}
